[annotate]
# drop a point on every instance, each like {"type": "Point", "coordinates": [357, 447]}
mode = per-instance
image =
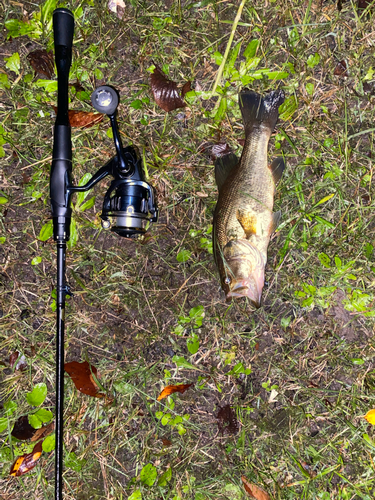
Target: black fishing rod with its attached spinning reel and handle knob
{"type": "Point", "coordinates": [128, 206]}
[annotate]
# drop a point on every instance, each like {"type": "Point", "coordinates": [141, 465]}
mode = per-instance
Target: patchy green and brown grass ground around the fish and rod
{"type": "Point", "coordinates": [312, 340]}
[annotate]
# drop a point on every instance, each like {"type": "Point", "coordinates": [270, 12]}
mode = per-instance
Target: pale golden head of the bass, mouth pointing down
{"type": "Point", "coordinates": [244, 271]}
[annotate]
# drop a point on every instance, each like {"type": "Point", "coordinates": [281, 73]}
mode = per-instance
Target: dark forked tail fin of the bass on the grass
{"type": "Point", "coordinates": [257, 110]}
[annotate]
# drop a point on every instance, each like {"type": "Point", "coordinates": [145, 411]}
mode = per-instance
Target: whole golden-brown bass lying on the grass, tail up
{"type": "Point", "coordinates": [244, 219]}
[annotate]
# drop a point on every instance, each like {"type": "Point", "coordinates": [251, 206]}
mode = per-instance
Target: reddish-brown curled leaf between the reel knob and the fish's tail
{"type": "Point", "coordinates": [165, 91]}
